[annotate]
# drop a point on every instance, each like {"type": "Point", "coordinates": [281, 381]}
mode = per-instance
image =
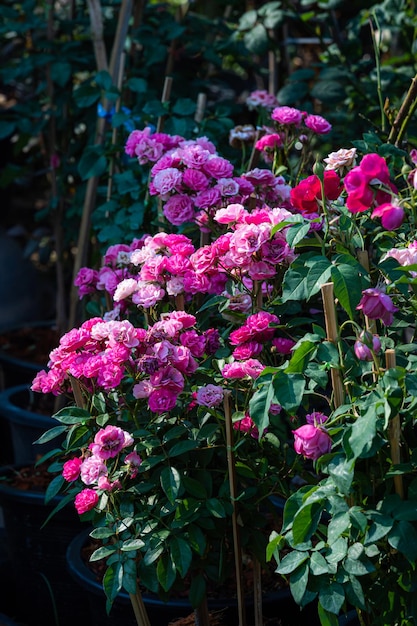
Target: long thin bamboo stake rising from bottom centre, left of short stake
{"type": "Point", "coordinates": [235, 526]}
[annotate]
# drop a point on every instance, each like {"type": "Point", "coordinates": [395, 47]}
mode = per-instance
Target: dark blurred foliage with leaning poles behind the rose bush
{"type": "Point", "coordinates": [77, 77]}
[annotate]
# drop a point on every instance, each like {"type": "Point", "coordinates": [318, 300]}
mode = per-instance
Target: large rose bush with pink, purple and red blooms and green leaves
{"type": "Point", "coordinates": [255, 323]}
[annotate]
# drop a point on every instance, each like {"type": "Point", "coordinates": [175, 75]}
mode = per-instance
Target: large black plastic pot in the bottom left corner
{"type": "Point", "coordinates": [37, 556]}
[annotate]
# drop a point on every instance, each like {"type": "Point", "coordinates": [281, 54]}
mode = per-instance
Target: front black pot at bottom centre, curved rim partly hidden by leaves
{"type": "Point", "coordinates": [278, 604]}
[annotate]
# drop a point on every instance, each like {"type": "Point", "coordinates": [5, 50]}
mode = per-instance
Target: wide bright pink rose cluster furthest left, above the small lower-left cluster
{"type": "Point", "coordinates": [103, 355]}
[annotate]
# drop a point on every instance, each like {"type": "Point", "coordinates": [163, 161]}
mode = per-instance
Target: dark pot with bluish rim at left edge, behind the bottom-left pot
{"type": "Point", "coordinates": [19, 411]}
